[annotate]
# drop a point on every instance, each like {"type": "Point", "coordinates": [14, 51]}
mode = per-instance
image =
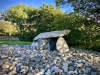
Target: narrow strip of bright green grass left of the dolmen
{"type": "Point", "coordinates": [15, 42]}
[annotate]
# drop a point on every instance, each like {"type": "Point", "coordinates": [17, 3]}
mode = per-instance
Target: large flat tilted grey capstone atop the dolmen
{"type": "Point", "coordinates": [52, 34]}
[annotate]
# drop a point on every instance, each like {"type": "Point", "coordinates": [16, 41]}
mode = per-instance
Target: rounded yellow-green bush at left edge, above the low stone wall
{"type": "Point", "coordinates": [7, 28]}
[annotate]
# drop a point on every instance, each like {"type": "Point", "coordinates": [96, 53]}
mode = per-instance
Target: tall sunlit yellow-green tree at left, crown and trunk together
{"type": "Point", "coordinates": [19, 14]}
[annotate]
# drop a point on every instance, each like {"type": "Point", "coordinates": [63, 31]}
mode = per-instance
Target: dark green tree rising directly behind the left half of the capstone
{"type": "Point", "coordinates": [43, 17]}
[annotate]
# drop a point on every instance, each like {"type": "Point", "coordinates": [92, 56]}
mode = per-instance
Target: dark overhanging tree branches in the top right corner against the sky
{"type": "Point", "coordinates": [90, 8]}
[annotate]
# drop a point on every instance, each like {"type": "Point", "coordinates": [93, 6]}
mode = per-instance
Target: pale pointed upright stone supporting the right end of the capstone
{"type": "Point", "coordinates": [61, 45]}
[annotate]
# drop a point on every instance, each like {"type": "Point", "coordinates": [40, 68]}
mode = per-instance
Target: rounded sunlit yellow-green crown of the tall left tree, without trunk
{"type": "Point", "coordinates": [18, 13]}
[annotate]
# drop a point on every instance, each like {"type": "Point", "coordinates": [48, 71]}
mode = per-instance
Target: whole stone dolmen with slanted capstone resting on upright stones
{"type": "Point", "coordinates": [51, 41]}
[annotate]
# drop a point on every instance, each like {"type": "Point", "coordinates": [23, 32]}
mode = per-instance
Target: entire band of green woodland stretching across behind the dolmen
{"type": "Point", "coordinates": [30, 21]}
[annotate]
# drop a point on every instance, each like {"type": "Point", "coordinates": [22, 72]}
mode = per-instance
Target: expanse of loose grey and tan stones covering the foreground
{"type": "Point", "coordinates": [21, 60]}
